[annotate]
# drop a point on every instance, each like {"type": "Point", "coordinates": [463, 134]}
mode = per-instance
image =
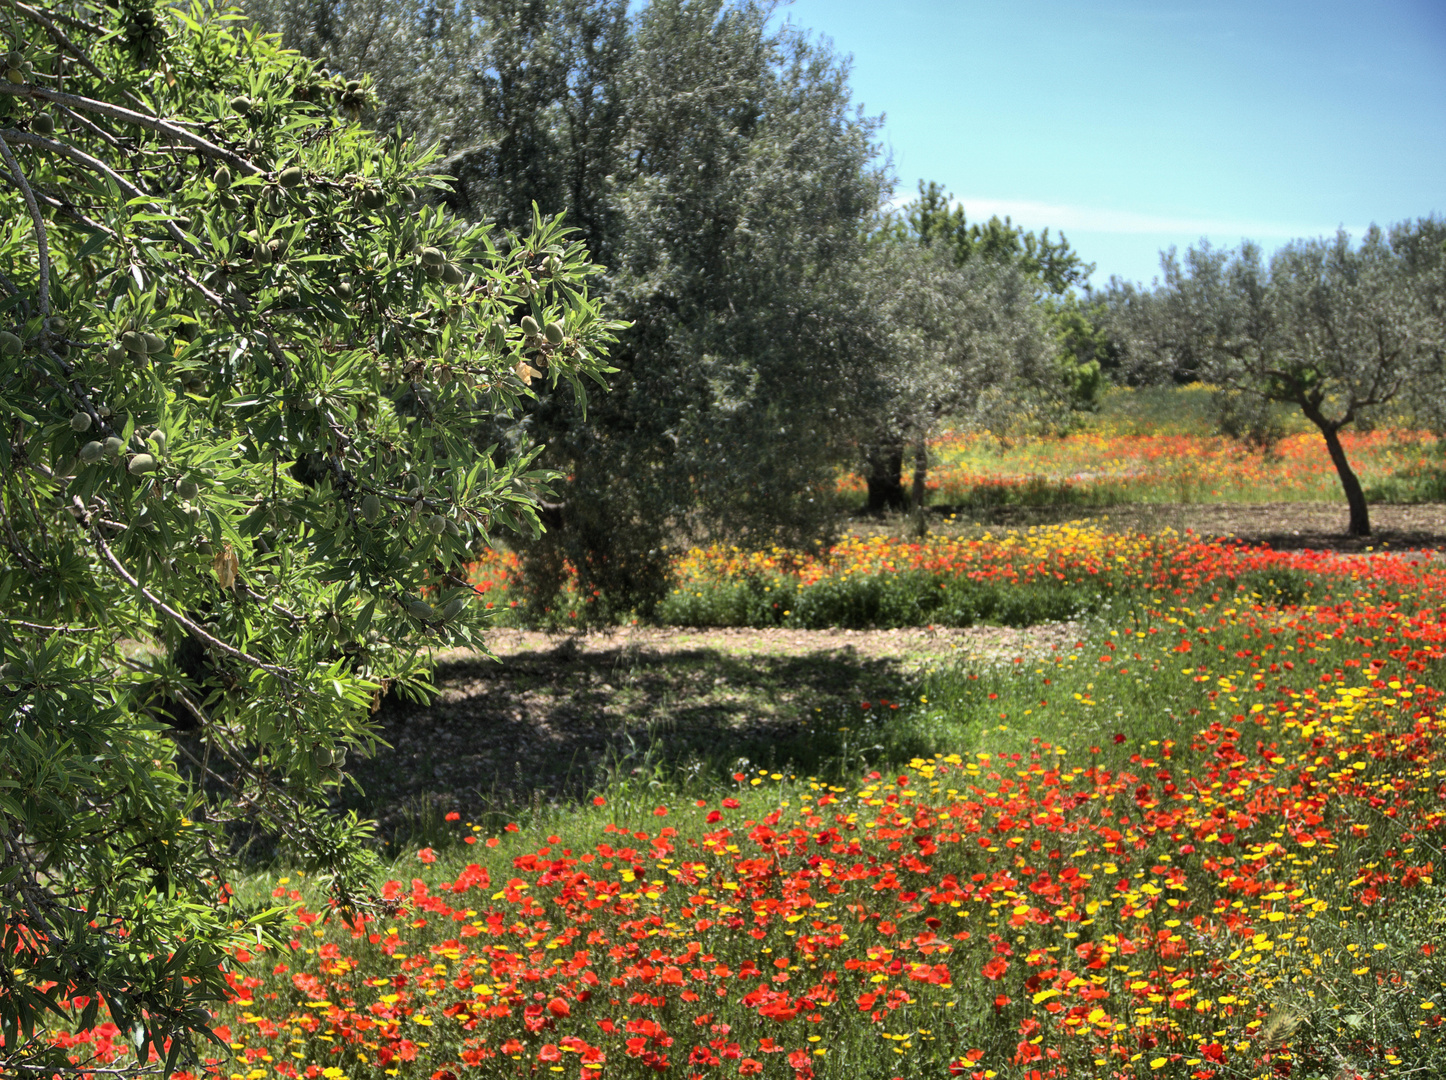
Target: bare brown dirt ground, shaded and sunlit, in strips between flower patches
{"type": "Point", "coordinates": [555, 718]}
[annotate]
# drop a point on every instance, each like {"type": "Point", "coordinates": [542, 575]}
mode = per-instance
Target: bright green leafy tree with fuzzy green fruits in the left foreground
{"type": "Point", "coordinates": [242, 375]}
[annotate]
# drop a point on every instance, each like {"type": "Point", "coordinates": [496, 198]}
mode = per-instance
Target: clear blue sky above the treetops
{"type": "Point", "coordinates": [1136, 125]}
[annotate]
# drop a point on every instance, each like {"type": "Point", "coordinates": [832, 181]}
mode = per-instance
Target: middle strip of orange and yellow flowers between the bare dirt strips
{"type": "Point", "coordinates": [1016, 578]}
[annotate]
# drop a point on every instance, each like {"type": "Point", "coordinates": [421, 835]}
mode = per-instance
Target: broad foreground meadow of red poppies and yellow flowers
{"type": "Point", "coordinates": [1202, 844]}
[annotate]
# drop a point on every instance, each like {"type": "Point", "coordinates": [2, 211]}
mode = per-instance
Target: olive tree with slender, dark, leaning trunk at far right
{"type": "Point", "coordinates": [1340, 330]}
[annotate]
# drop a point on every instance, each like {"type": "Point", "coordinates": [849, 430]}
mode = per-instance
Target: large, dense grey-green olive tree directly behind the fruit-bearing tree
{"type": "Point", "coordinates": [714, 161]}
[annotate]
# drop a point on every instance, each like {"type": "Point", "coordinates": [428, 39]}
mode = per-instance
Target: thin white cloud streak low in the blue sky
{"type": "Point", "coordinates": [1064, 218]}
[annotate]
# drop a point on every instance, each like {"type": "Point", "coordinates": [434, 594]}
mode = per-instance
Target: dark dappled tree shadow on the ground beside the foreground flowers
{"type": "Point", "coordinates": [556, 727]}
